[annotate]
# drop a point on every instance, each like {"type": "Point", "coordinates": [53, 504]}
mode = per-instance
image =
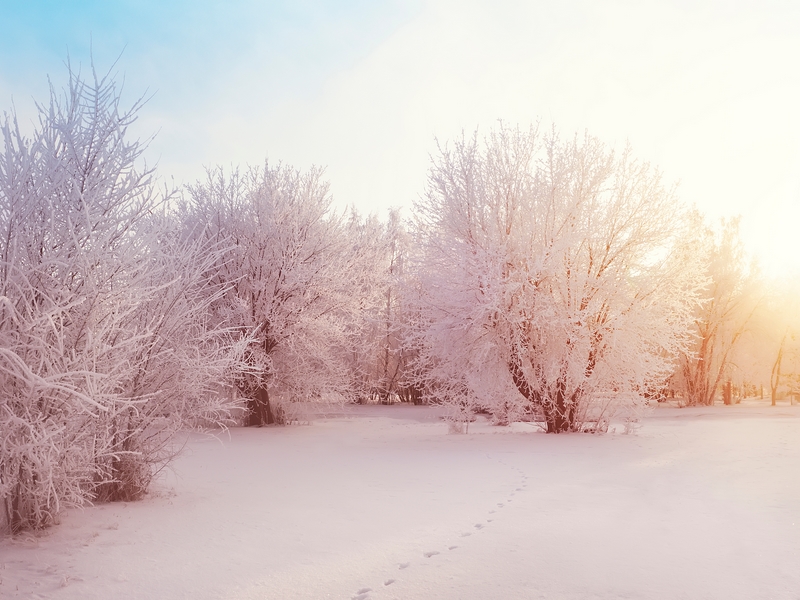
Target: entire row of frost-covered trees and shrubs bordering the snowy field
{"type": "Point", "coordinates": [539, 277]}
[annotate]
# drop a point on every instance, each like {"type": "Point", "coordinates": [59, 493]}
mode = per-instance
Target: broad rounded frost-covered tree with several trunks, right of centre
{"type": "Point", "coordinates": [553, 279]}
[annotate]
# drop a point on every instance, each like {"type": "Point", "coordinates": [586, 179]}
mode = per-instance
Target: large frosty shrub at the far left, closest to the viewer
{"type": "Point", "coordinates": [104, 347]}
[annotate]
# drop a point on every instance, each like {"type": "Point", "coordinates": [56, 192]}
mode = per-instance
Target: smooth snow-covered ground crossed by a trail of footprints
{"type": "Point", "coordinates": [380, 502]}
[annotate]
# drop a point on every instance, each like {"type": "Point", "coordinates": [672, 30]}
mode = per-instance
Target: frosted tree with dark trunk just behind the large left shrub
{"type": "Point", "coordinates": [301, 277]}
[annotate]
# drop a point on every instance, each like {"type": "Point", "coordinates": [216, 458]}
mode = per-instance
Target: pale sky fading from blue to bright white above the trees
{"type": "Point", "coordinates": [707, 90]}
